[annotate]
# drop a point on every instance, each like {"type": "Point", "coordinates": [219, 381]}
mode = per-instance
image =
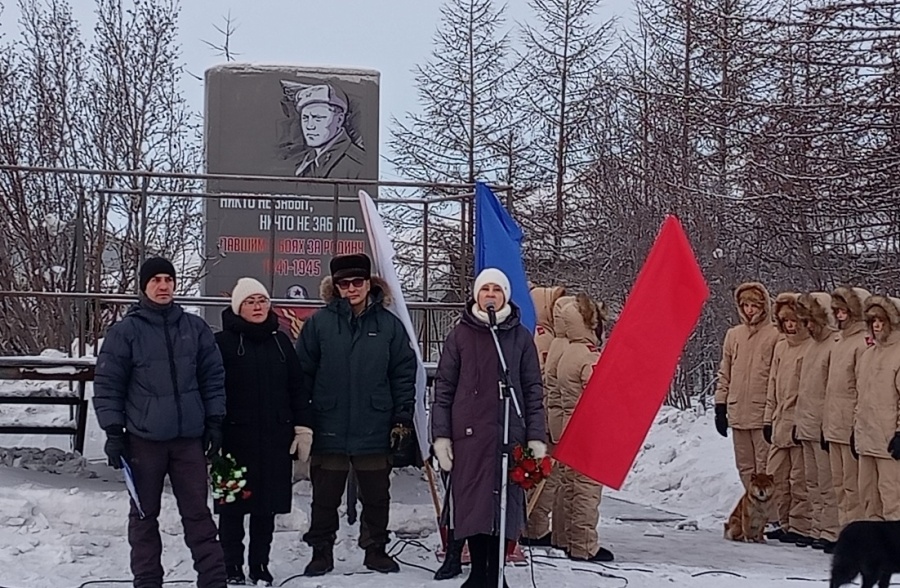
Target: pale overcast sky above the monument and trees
{"type": "Point", "coordinates": [390, 36]}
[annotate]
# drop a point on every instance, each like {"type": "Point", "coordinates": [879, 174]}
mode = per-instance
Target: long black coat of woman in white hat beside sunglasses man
{"type": "Point", "coordinates": [265, 399]}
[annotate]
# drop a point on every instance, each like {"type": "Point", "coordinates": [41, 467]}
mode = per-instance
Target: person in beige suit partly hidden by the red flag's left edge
{"type": "Point", "coordinates": [582, 495]}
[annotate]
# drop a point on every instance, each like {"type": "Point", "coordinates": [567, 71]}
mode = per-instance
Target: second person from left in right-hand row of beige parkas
{"type": "Point", "coordinates": [786, 457]}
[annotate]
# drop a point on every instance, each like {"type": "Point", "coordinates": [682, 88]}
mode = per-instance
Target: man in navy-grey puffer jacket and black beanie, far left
{"type": "Point", "coordinates": [159, 393]}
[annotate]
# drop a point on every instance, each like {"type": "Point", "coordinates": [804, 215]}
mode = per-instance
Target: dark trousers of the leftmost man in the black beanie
{"type": "Point", "coordinates": [184, 462]}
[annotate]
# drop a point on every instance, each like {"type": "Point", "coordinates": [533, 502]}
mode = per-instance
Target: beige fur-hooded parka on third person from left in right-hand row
{"type": "Point", "coordinates": [816, 308]}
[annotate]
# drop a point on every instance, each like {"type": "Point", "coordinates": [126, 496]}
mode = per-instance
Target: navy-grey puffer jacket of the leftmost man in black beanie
{"type": "Point", "coordinates": [159, 374]}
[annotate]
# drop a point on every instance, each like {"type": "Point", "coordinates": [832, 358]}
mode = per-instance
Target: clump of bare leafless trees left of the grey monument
{"type": "Point", "coordinates": [112, 103]}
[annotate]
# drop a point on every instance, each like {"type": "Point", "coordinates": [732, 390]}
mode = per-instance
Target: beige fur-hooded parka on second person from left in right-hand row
{"type": "Point", "coordinates": [784, 377]}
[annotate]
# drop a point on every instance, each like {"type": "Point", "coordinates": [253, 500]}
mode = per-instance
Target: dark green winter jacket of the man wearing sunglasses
{"type": "Point", "coordinates": [361, 371]}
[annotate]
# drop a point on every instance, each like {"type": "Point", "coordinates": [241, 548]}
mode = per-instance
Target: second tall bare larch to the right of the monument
{"type": "Point", "coordinates": [562, 79]}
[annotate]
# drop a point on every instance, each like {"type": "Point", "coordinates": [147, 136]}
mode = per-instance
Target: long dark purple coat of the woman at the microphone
{"type": "Point", "coordinates": [467, 409]}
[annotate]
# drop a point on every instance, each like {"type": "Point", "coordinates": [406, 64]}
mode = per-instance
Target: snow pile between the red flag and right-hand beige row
{"type": "Point", "coordinates": [685, 467]}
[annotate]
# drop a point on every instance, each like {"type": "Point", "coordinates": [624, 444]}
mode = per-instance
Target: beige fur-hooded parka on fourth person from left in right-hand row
{"type": "Point", "coordinates": [840, 393]}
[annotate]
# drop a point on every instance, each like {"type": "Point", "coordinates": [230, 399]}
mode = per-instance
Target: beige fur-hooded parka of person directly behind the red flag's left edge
{"type": "Point", "coordinates": [577, 362]}
